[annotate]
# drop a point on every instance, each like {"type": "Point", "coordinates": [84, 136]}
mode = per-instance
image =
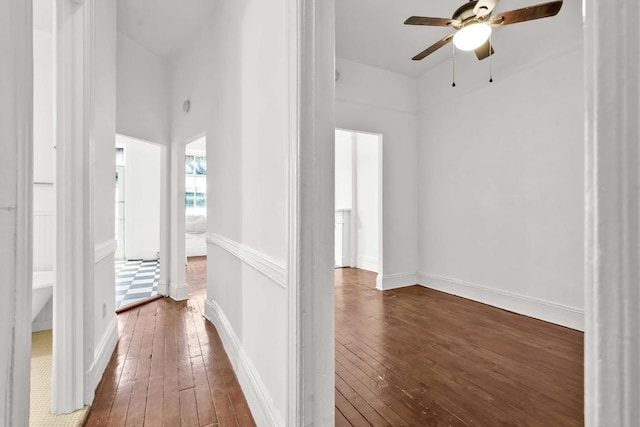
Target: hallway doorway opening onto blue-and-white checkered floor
{"type": "Point", "coordinates": [137, 222]}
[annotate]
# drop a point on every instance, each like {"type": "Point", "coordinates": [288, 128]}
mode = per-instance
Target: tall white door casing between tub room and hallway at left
{"type": "Point", "coordinates": [73, 293]}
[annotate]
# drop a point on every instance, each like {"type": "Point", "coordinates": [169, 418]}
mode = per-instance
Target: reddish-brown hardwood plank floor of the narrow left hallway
{"type": "Point", "coordinates": [170, 367]}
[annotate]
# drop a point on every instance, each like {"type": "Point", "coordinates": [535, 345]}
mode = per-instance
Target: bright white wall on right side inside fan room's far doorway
{"type": "Point", "coordinates": [367, 155]}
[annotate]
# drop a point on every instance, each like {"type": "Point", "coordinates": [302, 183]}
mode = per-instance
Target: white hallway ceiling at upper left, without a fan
{"type": "Point", "coordinates": [163, 26]}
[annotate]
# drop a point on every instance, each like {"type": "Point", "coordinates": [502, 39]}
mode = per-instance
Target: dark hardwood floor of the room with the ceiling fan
{"type": "Point", "coordinates": [419, 357]}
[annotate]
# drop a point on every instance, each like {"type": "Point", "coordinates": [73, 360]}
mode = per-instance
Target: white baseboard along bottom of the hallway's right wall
{"type": "Point", "coordinates": [260, 402]}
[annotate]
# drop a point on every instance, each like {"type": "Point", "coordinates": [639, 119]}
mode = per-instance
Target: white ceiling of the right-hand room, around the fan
{"type": "Point", "coordinates": [372, 31]}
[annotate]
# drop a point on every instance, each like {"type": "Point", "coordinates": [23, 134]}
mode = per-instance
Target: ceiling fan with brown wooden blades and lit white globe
{"type": "Point", "coordinates": [474, 22]}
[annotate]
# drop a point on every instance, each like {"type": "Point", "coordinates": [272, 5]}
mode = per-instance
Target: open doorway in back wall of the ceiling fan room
{"type": "Point", "coordinates": [358, 200]}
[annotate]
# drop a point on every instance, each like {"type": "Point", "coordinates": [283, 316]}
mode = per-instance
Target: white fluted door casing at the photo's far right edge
{"type": "Point", "coordinates": [612, 262]}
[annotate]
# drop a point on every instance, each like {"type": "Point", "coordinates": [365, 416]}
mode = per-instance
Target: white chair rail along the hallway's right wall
{"type": "Point", "coordinates": [274, 270]}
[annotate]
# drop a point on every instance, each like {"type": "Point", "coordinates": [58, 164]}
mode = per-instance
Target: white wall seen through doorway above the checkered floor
{"type": "Point", "coordinates": [141, 198]}
